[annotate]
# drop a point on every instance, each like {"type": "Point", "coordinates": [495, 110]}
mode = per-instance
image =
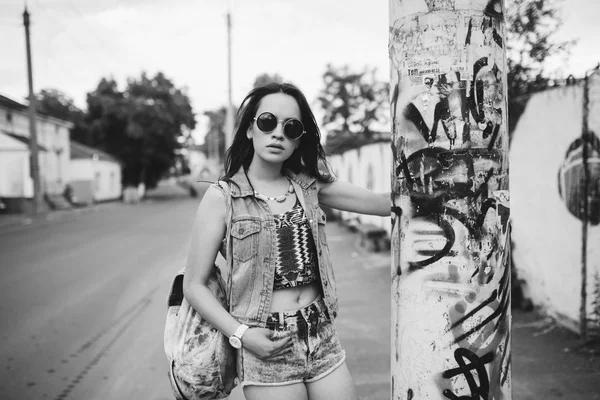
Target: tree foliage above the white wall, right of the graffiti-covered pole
{"type": "Point", "coordinates": [532, 25]}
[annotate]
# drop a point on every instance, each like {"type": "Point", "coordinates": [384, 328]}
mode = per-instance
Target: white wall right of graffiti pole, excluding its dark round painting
{"type": "Point", "coordinates": [547, 238]}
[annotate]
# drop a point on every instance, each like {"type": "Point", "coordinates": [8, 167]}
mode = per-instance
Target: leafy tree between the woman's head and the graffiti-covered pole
{"type": "Point", "coordinates": [354, 103]}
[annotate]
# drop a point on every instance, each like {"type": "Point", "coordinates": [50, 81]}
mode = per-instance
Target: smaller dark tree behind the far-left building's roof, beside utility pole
{"type": "Point", "coordinates": [56, 104]}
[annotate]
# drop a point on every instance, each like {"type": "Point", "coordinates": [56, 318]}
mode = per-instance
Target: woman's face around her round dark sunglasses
{"type": "Point", "coordinates": [274, 146]}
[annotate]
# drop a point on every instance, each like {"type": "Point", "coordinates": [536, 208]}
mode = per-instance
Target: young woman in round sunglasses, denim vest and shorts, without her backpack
{"type": "Point", "coordinates": [283, 297]}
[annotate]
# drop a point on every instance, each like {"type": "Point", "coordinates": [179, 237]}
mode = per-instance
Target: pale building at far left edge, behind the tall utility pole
{"type": "Point", "coordinates": [16, 186]}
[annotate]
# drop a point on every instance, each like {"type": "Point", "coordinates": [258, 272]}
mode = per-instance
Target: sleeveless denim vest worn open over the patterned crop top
{"type": "Point", "coordinates": [252, 246]}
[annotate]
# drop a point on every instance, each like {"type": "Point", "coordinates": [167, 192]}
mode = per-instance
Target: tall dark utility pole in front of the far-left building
{"type": "Point", "coordinates": [33, 148]}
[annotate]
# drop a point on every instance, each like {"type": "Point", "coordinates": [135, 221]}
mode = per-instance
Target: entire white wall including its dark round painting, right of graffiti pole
{"type": "Point", "coordinates": [556, 255]}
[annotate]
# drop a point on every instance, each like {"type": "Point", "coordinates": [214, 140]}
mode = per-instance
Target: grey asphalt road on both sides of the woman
{"type": "Point", "coordinates": [83, 303]}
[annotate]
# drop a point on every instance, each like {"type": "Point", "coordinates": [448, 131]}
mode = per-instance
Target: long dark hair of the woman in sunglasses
{"type": "Point", "coordinates": [309, 157]}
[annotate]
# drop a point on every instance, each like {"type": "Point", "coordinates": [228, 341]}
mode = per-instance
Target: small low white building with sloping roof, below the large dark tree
{"type": "Point", "coordinates": [95, 175]}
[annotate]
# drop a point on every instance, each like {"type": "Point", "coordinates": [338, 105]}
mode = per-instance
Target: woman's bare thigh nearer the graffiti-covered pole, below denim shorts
{"type": "Point", "coordinates": [337, 385]}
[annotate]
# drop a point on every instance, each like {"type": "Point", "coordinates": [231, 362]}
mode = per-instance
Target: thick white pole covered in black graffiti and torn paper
{"type": "Point", "coordinates": [451, 318]}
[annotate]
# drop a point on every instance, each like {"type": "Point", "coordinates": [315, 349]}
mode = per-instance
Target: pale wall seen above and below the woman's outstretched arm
{"type": "Point", "coordinates": [369, 167]}
